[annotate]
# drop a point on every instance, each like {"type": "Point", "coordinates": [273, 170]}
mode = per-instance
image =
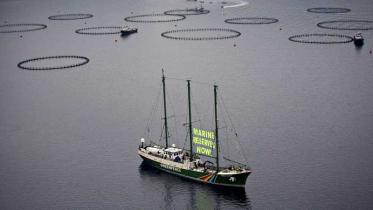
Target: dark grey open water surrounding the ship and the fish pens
{"type": "Point", "coordinates": [68, 138]}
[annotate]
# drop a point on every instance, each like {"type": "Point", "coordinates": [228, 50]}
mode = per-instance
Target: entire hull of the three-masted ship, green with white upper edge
{"type": "Point", "coordinates": [226, 180]}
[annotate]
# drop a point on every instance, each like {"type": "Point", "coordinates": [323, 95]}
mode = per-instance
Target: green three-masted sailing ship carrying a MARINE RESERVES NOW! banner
{"type": "Point", "coordinates": [188, 164]}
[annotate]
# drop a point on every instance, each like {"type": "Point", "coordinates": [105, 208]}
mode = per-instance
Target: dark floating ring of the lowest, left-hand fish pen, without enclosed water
{"type": "Point", "coordinates": [21, 65]}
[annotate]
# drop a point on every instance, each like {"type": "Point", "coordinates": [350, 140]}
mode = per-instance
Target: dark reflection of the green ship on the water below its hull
{"type": "Point", "coordinates": [179, 192]}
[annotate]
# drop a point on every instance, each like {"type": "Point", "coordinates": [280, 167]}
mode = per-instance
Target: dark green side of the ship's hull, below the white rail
{"type": "Point", "coordinates": [233, 180]}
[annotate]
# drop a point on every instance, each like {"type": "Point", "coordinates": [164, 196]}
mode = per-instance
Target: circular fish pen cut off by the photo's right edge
{"type": "Point", "coordinates": [359, 25]}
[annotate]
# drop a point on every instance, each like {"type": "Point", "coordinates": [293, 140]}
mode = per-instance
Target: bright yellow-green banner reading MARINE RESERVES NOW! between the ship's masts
{"type": "Point", "coordinates": [204, 142]}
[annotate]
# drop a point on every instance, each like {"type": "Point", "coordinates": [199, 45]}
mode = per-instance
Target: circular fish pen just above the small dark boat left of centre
{"type": "Point", "coordinates": [154, 18]}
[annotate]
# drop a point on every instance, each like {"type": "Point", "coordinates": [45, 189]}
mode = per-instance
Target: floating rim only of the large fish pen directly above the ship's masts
{"type": "Point", "coordinates": [234, 34]}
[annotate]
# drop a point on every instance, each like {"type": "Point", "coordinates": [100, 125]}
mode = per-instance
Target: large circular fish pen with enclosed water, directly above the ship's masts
{"type": "Point", "coordinates": [201, 34]}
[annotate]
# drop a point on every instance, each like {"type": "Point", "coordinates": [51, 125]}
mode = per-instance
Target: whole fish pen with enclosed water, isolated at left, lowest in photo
{"type": "Point", "coordinates": [53, 62]}
